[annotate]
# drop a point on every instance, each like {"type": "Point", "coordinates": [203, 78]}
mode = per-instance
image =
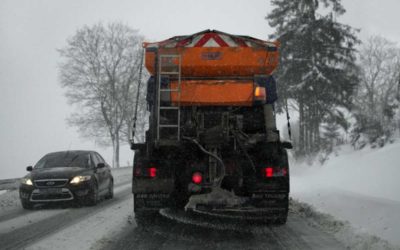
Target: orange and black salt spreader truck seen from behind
{"type": "Point", "coordinates": [212, 148]}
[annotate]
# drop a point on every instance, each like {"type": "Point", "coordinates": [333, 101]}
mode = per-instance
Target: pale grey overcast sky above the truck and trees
{"type": "Point", "coordinates": [33, 108]}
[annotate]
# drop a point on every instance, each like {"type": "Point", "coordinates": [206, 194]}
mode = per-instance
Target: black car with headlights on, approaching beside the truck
{"type": "Point", "coordinates": [81, 176]}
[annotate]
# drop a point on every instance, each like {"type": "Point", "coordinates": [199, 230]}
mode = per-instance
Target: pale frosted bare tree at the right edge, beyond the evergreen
{"type": "Point", "coordinates": [376, 101]}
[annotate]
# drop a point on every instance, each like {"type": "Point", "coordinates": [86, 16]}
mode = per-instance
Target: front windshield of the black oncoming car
{"type": "Point", "coordinates": [63, 159]}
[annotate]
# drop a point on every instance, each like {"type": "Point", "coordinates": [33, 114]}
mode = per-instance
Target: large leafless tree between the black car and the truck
{"type": "Point", "coordinates": [100, 72]}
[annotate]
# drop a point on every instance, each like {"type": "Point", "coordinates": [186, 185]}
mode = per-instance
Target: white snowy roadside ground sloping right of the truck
{"type": "Point", "coordinates": [361, 187]}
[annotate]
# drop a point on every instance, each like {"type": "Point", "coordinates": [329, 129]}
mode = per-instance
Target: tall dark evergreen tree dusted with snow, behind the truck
{"type": "Point", "coordinates": [317, 65]}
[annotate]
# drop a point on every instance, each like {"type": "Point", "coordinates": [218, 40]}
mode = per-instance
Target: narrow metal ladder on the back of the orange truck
{"type": "Point", "coordinates": [168, 66]}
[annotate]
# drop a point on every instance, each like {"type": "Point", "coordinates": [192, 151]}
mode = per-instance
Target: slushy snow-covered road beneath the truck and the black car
{"type": "Point", "coordinates": [110, 225]}
